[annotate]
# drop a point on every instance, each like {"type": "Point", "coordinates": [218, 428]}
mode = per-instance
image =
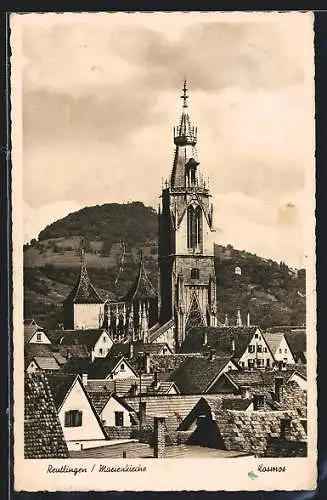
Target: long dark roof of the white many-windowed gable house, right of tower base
{"type": "Point", "coordinates": [221, 339]}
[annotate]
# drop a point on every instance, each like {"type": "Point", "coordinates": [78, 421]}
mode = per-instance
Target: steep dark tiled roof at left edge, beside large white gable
{"type": "Point", "coordinates": [43, 435]}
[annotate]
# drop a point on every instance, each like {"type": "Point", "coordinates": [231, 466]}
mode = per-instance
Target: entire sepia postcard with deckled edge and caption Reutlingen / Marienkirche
{"type": "Point", "coordinates": [163, 189]}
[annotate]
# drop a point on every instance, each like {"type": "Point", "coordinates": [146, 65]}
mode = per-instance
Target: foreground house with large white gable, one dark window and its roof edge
{"type": "Point", "coordinates": [80, 422]}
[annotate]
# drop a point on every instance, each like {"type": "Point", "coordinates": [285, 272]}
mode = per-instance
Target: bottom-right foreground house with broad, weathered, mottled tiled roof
{"type": "Point", "coordinates": [255, 432]}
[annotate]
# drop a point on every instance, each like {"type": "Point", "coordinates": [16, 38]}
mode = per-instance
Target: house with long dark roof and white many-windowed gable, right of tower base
{"type": "Point", "coordinates": [246, 345]}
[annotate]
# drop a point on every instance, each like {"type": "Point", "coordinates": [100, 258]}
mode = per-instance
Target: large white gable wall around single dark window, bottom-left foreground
{"type": "Point", "coordinates": [90, 428]}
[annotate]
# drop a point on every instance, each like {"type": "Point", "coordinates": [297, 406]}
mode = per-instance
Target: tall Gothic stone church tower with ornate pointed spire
{"type": "Point", "coordinates": [187, 282]}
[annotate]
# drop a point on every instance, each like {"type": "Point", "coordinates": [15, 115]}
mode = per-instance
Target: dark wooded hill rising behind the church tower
{"type": "Point", "coordinates": [114, 234]}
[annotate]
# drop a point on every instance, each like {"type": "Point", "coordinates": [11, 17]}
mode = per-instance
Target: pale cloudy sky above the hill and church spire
{"type": "Point", "coordinates": [101, 98]}
